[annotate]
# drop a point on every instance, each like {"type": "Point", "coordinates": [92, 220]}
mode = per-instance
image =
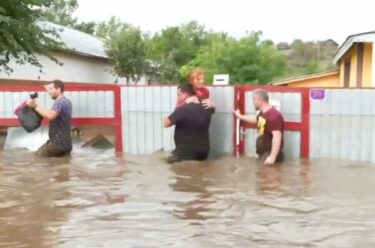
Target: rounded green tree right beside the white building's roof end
{"type": "Point", "coordinates": [127, 50]}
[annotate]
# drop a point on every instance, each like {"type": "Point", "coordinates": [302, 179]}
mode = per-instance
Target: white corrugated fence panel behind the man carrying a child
{"type": "Point", "coordinates": [146, 134]}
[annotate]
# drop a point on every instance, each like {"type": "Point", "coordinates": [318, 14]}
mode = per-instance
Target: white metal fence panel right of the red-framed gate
{"type": "Point", "coordinates": [343, 126]}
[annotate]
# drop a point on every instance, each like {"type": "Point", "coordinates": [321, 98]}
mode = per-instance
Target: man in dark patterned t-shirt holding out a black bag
{"type": "Point", "coordinates": [59, 143]}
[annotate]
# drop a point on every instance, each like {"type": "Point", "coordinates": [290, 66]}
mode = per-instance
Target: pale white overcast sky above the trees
{"type": "Point", "coordinates": [280, 20]}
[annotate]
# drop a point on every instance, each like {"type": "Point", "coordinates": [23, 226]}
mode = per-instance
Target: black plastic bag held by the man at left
{"type": "Point", "coordinates": [29, 119]}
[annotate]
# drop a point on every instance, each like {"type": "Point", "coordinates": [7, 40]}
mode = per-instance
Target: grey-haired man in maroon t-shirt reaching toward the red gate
{"type": "Point", "coordinates": [270, 125]}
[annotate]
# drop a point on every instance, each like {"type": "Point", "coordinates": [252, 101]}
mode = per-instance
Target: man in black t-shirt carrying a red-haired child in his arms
{"type": "Point", "coordinates": [192, 123]}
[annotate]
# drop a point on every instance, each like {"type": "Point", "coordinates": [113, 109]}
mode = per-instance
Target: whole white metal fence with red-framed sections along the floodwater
{"type": "Point", "coordinates": [341, 125]}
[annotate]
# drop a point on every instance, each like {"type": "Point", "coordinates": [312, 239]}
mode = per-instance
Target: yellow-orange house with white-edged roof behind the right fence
{"type": "Point", "coordinates": [356, 61]}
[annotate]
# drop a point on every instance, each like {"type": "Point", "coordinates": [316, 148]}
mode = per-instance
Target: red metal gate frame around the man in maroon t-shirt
{"type": "Point", "coordinates": [303, 127]}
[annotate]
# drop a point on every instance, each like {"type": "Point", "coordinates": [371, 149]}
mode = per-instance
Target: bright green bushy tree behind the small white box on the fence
{"type": "Point", "coordinates": [248, 60]}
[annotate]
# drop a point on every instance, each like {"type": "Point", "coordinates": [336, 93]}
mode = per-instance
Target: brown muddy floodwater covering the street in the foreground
{"type": "Point", "coordinates": [94, 199]}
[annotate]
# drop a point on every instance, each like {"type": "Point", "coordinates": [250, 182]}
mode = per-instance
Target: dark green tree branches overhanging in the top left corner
{"type": "Point", "coordinates": [21, 38]}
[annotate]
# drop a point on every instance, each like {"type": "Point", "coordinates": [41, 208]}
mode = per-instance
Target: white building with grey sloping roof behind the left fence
{"type": "Point", "coordinates": [84, 61]}
